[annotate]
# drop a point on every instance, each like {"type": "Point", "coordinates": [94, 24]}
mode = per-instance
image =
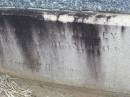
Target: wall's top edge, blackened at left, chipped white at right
{"type": "Point", "coordinates": [72, 16]}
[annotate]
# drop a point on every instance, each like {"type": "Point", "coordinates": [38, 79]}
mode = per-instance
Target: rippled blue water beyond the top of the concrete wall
{"type": "Point", "coordinates": [122, 6]}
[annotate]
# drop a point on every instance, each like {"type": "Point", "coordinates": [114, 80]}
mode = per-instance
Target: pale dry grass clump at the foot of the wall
{"type": "Point", "coordinates": [9, 88]}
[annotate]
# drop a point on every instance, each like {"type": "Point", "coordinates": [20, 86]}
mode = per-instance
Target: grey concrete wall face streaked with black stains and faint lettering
{"type": "Point", "coordinates": [72, 53]}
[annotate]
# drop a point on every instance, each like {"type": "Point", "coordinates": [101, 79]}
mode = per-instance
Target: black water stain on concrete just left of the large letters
{"type": "Point", "coordinates": [88, 35]}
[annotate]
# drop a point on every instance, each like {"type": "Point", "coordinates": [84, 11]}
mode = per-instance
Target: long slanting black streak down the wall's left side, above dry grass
{"type": "Point", "coordinates": [23, 32]}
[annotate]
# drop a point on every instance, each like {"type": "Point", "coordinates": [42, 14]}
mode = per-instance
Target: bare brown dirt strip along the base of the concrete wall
{"type": "Point", "coordinates": [43, 89]}
